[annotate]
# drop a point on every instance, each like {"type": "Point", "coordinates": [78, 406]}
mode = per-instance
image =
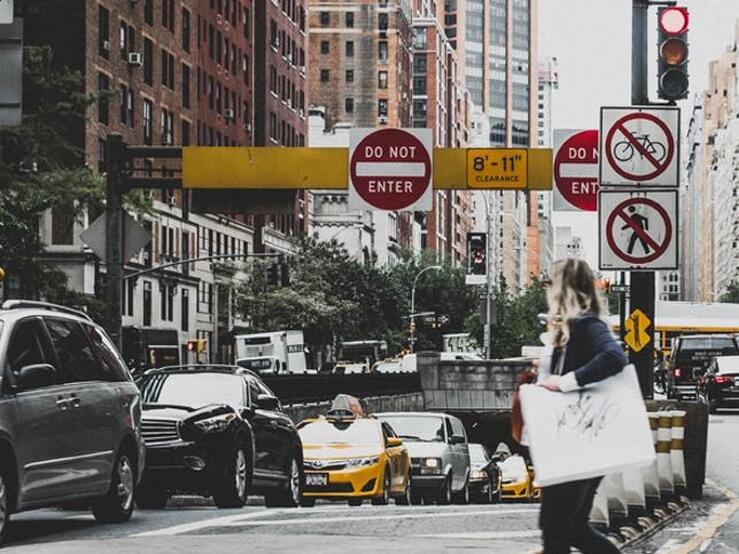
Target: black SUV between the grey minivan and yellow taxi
{"type": "Point", "coordinates": [217, 431]}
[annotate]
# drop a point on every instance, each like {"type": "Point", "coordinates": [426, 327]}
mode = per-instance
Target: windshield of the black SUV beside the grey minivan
{"type": "Point", "coordinates": [194, 390]}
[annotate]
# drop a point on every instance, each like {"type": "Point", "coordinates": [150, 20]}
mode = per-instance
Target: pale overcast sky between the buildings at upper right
{"type": "Point", "coordinates": [592, 41]}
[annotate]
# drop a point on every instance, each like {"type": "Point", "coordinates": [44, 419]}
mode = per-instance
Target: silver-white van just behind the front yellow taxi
{"type": "Point", "coordinates": [440, 459]}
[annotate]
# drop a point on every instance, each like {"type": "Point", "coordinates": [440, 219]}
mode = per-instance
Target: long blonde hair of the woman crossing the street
{"type": "Point", "coordinates": [571, 294]}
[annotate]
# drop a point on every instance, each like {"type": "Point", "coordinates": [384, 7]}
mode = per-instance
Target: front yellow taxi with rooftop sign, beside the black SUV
{"type": "Point", "coordinates": [348, 456]}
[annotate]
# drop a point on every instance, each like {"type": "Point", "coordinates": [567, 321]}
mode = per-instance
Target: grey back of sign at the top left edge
{"type": "Point", "coordinates": [11, 70]}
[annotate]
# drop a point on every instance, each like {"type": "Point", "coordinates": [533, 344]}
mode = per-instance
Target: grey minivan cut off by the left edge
{"type": "Point", "coordinates": [69, 415]}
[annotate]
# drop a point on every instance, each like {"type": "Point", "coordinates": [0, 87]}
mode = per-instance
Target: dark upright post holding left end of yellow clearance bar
{"type": "Point", "coordinates": [114, 234]}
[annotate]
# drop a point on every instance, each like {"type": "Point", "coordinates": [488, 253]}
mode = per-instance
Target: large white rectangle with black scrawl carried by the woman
{"type": "Point", "coordinates": [600, 430]}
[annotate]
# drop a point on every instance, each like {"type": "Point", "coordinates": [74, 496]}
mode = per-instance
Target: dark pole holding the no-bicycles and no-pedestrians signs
{"type": "Point", "coordinates": [642, 287]}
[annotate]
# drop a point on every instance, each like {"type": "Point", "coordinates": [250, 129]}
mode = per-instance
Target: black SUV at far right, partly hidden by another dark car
{"type": "Point", "coordinates": [689, 360]}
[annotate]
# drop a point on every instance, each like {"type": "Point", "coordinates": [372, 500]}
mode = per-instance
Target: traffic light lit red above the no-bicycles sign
{"type": "Point", "coordinates": [673, 83]}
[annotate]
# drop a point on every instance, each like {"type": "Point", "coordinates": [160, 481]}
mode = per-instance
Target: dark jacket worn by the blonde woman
{"type": "Point", "coordinates": [592, 351]}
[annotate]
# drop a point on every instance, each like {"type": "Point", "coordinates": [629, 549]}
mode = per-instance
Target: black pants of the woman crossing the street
{"type": "Point", "coordinates": [565, 519]}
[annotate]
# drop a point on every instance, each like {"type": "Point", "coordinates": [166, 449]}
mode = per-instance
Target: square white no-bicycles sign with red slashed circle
{"type": "Point", "coordinates": [640, 146]}
